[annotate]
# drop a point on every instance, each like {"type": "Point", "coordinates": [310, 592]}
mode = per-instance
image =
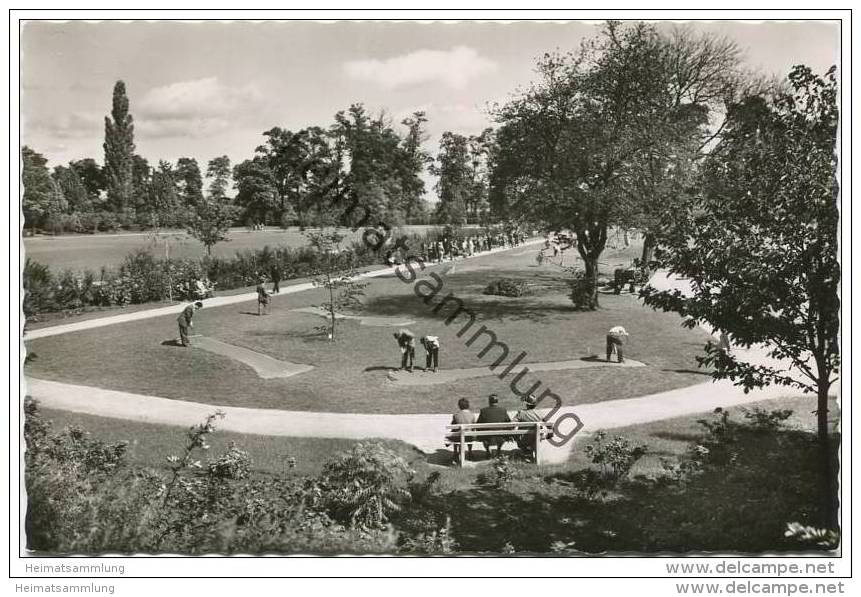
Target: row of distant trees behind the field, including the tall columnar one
{"type": "Point", "coordinates": [361, 167]}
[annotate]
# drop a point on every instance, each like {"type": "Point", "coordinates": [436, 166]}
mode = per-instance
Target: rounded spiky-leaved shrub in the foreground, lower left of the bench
{"type": "Point", "coordinates": [363, 487]}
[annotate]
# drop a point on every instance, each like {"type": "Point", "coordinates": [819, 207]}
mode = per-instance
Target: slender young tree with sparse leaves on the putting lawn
{"type": "Point", "coordinates": [335, 271]}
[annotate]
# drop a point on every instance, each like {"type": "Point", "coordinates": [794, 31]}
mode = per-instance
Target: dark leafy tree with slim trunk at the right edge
{"type": "Point", "coordinates": [762, 252]}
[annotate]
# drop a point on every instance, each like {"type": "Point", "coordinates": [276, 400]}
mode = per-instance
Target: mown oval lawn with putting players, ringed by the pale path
{"type": "Point", "coordinates": [350, 374]}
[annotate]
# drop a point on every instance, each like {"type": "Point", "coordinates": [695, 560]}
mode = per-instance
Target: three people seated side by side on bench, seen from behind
{"type": "Point", "coordinates": [493, 413]}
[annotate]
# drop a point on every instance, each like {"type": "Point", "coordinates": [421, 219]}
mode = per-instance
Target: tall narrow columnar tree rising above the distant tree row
{"type": "Point", "coordinates": [119, 151]}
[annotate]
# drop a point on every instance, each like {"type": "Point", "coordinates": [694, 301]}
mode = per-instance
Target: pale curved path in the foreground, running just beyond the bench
{"type": "Point", "coordinates": [425, 431]}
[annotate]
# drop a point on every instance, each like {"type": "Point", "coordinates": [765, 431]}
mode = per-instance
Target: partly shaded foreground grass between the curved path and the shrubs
{"type": "Point", "coordinates": [745, 509]}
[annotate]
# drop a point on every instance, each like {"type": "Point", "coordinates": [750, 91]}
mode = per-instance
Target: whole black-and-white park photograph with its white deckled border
{"type": "Point", "coordinates": [449, 287]}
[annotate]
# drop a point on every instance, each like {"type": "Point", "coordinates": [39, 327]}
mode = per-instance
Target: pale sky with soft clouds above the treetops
{"type": "Point", "coordinates": [208, 89]}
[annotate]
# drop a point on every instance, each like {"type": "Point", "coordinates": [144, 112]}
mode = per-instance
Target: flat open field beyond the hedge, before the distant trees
{"type": "Point", "coordinates": [84, 251]}
